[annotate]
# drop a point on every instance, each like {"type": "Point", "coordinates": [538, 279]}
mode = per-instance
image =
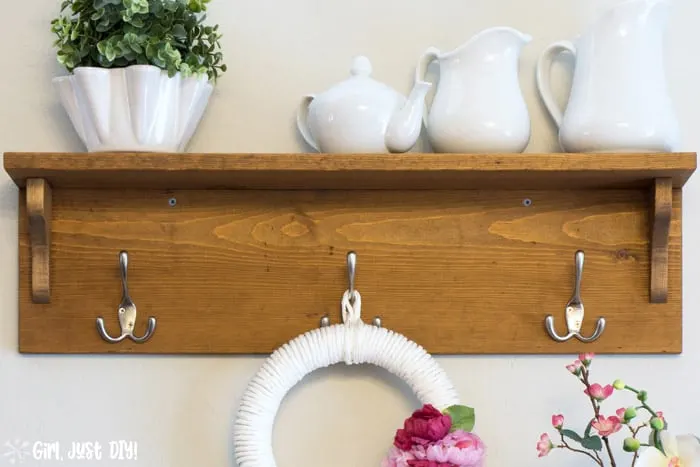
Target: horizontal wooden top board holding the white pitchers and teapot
{"type": "Point", "coordinates": [350, 171]}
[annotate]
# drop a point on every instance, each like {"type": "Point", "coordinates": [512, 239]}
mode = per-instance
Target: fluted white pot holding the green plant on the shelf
{"type": "Point", "coordinates": [136, 108]}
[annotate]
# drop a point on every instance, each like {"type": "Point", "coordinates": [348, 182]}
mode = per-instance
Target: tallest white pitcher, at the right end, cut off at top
{"type": "Point", "coordinates": [619, 101]}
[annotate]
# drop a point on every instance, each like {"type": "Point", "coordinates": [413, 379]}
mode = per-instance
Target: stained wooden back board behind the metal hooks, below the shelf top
{"type": "Point", "coordinates": [460, 272]}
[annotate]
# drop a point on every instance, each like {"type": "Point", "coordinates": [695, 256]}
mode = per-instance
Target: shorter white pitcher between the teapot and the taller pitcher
{"type": "Point", "coordinates": [478, 105]}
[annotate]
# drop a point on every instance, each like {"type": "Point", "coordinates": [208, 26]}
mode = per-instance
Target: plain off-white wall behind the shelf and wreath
{"type": "Point", "coordinates": [180, 409]}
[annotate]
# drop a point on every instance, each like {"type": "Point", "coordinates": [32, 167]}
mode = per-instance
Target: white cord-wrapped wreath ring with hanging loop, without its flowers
{"type": "Point", "coordinates": [352, 342]}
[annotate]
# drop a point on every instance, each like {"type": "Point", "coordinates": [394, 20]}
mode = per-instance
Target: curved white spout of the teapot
{"type": "Point", "coordinates": [405, 125]}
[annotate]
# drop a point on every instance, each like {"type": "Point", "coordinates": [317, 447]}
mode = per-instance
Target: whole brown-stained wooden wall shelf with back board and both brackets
{"type": "Point", "coordinates": [238, 253]}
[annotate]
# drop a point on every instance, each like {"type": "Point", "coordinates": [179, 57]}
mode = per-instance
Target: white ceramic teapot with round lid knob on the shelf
{"type": "Point", "coordinates": [362, 115]}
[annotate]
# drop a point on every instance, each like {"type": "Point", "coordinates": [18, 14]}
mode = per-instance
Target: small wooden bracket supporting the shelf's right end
{"type": "Point", "coordinates": [662, 193]}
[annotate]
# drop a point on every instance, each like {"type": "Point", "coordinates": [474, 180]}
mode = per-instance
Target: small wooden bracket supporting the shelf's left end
{"type": "Point", "coordinates": [39, 214]}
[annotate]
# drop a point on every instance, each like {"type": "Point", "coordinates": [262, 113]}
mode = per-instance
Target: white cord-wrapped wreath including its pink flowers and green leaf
{"type": "Point", "coordinates": [436, 435]}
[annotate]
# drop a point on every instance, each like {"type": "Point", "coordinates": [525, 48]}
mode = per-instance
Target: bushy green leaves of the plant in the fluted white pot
{"type": "Point", "coordinates": [169, 34]}
